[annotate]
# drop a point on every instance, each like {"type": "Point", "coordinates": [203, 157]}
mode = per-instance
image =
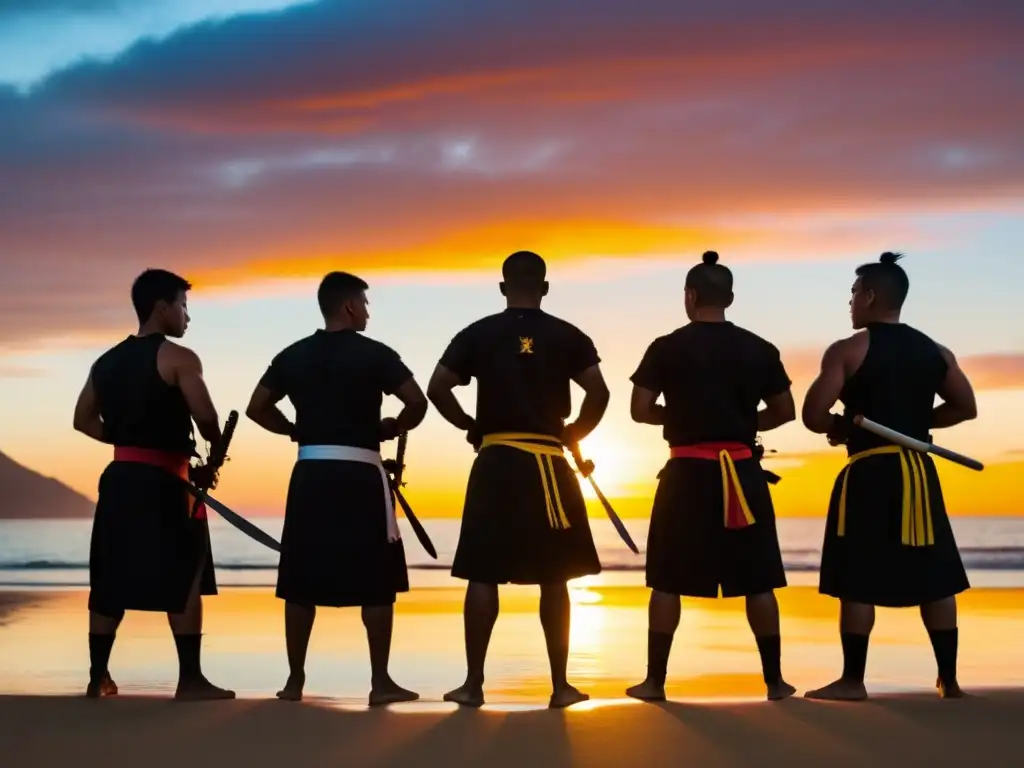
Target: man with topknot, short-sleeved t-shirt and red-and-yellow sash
{"type": "Point", "coordinates": [713, 526]}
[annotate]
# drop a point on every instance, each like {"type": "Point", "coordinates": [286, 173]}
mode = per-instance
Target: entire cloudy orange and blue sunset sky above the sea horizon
{"type": "Point", "coordinates": [420, 143]}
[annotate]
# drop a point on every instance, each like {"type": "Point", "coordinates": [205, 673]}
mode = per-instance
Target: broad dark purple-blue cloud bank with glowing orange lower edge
{"type": "Point", "coordinates": [310, 134]}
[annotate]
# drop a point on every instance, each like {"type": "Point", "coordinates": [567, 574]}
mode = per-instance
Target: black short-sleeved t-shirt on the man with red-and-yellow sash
{"type": "Point", "coordinates": [714, 377]}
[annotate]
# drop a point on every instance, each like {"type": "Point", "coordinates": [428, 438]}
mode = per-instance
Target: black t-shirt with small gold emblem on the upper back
{"type": "Point", "coordinates": [524, 361]}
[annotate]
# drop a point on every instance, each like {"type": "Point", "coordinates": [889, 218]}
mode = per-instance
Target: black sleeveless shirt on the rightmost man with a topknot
{"type": "Point", "coordinates": [895, 386]}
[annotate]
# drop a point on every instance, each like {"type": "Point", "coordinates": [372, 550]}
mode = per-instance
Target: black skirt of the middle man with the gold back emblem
{"type": "Point", "coordinates": [507, 536]}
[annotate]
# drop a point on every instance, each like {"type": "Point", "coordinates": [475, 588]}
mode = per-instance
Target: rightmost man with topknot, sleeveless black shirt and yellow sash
{"type": "Point", "coordinates": [888, 540]}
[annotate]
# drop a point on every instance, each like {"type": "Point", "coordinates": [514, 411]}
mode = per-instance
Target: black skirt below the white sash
{"type": "Point", "coordinates": [334, 548]}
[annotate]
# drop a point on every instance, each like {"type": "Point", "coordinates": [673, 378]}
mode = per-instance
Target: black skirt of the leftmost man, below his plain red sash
{"type": "Point", "coordinates": [146, 550]}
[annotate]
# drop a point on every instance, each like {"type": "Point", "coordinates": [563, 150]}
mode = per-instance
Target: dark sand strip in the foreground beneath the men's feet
{"type": "Point", "coordinates": [907, 731]}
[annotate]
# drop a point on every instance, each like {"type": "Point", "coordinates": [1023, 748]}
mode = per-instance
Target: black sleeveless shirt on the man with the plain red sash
{"type": "Point", "coordinates": [139, 408]}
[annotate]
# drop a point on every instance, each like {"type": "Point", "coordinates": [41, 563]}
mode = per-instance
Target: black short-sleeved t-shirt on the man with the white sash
{"type": "Point", "coordinates": [336, 381]}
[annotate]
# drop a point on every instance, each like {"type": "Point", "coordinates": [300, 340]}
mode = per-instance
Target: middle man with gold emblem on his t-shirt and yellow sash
{"type": "Point", "coordinates": [525, 520]}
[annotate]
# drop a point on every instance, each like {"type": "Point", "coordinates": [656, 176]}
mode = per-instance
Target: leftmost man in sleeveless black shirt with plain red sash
{"type": "Point", "coordinates": [150, 550]}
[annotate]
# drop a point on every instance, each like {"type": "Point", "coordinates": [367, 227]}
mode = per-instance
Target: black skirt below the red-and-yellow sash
{"type": "Point", "coordinates": [690, 550]}
